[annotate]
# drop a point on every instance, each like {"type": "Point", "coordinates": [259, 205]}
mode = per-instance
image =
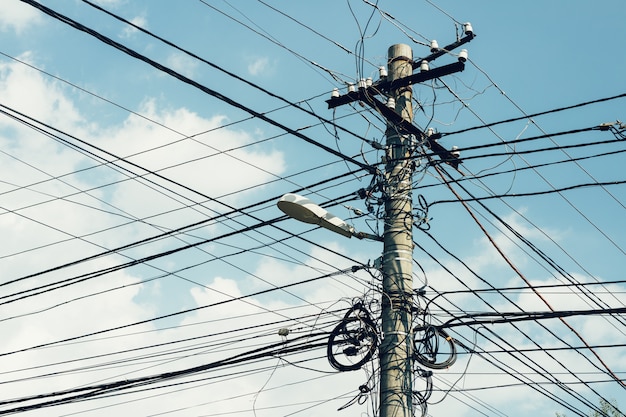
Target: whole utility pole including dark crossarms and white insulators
{"type": "Point", "coordinates": [396, 351]}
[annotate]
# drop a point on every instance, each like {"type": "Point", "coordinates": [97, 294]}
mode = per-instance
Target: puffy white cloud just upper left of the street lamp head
{"type": "Point", "coordinates": [183, 159]}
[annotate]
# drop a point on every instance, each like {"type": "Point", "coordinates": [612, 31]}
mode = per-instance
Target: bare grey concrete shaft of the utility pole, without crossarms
{"type": "Point", "coordinates": [396, 348]}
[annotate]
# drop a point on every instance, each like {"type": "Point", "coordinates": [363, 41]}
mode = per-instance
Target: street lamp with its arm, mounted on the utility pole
{"type": "Point", "coordinates": [304, 210]}
